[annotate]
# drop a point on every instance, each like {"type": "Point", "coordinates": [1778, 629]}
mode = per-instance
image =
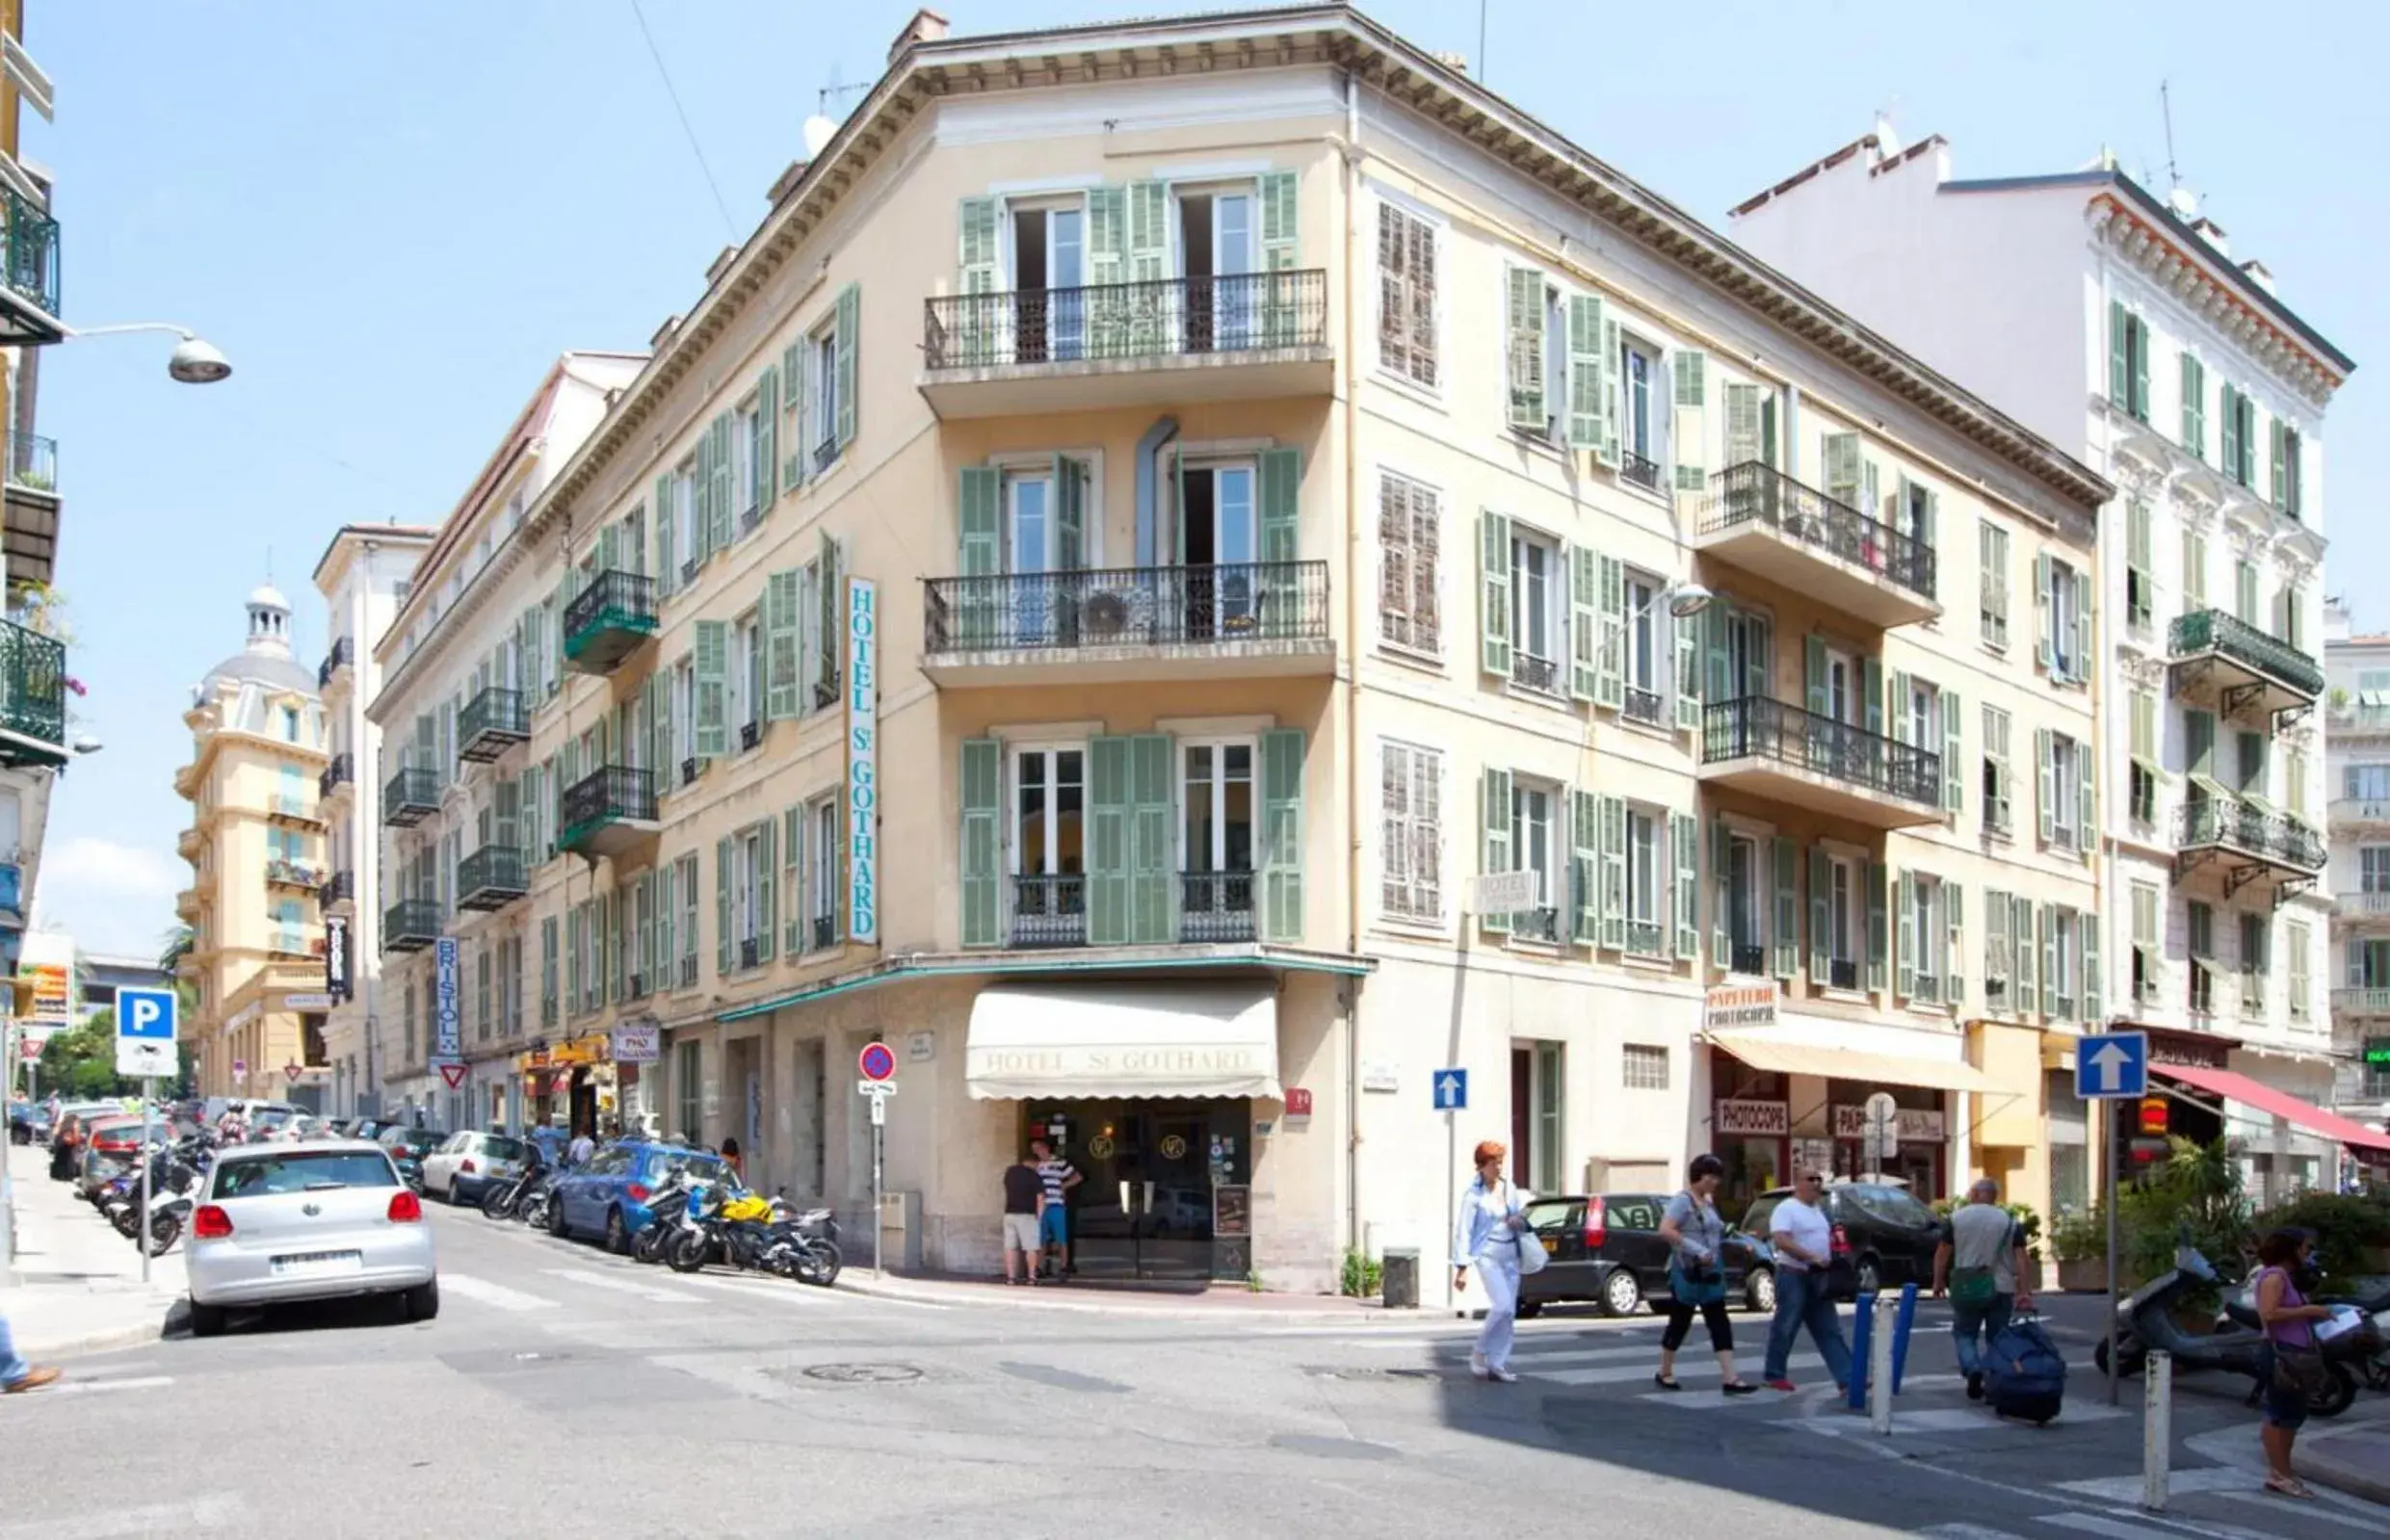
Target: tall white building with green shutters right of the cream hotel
{"type": "Point", "coordinates": [2121, 326]}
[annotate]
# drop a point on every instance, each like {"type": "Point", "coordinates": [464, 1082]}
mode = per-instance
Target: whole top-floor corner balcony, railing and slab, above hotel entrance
{"type": "Point", "coordinates": [1232, 338]}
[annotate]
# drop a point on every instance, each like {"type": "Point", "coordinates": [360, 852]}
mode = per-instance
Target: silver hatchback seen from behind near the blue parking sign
{"type": "Point", "coordinates": [324, 1218]}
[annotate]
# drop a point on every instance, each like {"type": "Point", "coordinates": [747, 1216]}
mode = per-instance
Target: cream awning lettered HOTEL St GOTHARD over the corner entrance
{"type": "Point", "coordinates": [1124, 1039]}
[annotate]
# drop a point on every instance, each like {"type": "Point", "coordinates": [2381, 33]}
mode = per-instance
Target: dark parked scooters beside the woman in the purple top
{"type": "Point", "coordinates": [2147, 1321]}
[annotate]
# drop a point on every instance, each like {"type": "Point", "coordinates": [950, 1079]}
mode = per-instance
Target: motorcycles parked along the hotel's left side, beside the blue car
{"type": "Point", "coordinates": [692, 1221]}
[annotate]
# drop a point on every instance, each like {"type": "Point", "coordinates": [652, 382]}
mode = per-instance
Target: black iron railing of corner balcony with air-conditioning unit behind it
{"type": "Point", "coordinates": [1129, 606]}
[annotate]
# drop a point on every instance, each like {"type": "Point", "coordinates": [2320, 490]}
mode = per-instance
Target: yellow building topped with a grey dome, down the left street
{"type": "Point", "coordinates": [257, 857]}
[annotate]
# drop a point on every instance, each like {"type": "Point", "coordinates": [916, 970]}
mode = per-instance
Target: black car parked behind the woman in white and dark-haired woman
{"type": "Point", "coordinates": [1607, 1247]}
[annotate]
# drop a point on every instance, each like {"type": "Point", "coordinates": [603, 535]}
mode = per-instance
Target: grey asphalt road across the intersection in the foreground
{"type": "Point", "coordinates": [568, 1393]}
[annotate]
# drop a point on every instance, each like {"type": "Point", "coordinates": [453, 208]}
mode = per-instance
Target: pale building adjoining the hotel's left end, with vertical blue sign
{"type": "Point", "coordinates": [470, 652]}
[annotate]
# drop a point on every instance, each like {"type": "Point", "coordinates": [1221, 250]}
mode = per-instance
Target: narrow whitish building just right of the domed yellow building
{"type": "Point", "coordinates": [362, 577]}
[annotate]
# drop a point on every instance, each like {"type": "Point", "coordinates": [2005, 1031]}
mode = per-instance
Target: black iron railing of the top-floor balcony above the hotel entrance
{"type": "Point", "coordinates": [1177, 317]}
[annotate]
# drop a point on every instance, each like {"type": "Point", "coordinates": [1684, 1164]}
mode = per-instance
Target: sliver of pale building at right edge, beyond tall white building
{"type": "Point", "coordinates": [2358, 723]}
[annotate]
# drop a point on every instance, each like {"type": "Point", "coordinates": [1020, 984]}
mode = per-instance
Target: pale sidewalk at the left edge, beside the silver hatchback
{"type": "Point", "coordinates": [78, 1283]}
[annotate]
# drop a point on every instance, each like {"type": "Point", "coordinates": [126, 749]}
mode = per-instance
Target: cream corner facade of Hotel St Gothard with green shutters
{"type": "Point", "coordinates": [1225, 628]}
